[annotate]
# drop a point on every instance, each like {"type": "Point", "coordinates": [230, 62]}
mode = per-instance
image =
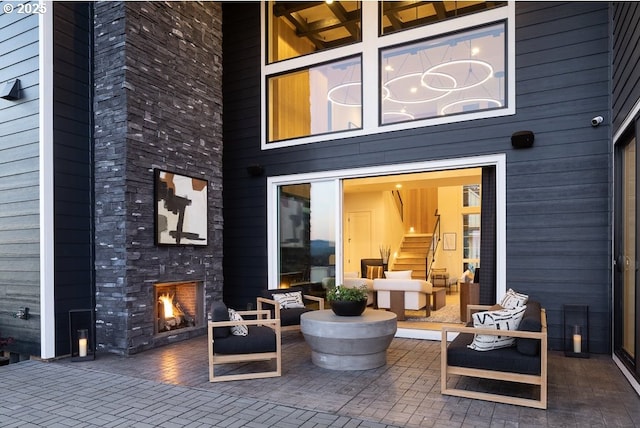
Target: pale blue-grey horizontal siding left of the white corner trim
{"type": "Point", "coordinates": [19, 184]}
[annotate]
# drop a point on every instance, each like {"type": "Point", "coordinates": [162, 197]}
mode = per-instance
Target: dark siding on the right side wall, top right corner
{"type": "Point", "coordinates": [626, 60]}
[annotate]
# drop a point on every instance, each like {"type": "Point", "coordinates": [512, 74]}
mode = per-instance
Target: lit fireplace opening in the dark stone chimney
{"type": "Point", "coordinates": [178, 306]}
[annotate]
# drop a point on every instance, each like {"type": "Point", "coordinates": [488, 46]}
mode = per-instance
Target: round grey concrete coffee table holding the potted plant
{"type": "Point", "coordinates": [348, 343]}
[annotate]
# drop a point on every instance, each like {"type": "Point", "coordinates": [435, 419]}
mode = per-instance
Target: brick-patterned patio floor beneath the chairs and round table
{"type": "Point", "coordinates": [169, 387]}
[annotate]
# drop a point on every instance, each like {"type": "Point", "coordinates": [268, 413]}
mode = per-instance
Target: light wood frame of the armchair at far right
{"type": "Point", "coordinates": [539, 379]}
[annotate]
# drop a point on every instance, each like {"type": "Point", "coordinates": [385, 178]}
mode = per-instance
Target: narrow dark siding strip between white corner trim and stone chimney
{"type": "Point", "coordinates": [73, 169]}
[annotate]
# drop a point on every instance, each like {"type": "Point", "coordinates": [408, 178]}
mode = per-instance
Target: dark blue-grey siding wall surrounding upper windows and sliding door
{"type": "Point", "coordinates": [558, 192]}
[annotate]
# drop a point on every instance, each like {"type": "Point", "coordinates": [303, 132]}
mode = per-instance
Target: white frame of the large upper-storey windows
{"type": "Point", "coordinates": [369, 48]}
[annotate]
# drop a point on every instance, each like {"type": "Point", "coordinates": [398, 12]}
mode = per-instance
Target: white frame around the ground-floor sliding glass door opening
{"type": "Point", "coordinates": [498, 160]}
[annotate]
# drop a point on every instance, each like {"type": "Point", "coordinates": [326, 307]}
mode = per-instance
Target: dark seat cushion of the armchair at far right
{"type": "Point", "coordinates": [503, 359]}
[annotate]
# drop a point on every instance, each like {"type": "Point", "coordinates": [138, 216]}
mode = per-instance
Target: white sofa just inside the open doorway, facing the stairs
{"type": "Point", "coordinates": [417, 294]}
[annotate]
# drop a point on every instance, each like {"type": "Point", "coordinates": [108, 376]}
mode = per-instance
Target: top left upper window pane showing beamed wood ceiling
{"type": "Point", "coordinates": [299, 28]}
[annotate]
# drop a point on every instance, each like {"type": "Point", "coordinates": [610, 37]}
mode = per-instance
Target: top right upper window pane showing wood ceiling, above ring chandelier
{"type": "Point", "coordinates": [400, 15]}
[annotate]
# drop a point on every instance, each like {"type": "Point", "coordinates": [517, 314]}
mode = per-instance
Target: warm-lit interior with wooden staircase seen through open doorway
{"type": "Point", "coordinates": [401, 214]}
